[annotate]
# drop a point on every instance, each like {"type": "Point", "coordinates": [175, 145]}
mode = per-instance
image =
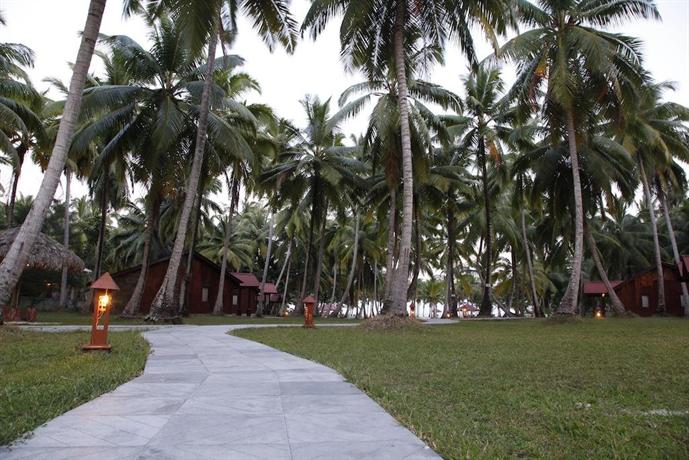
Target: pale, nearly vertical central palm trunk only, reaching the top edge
{"type": "Point", "coordinates": [401, 279]}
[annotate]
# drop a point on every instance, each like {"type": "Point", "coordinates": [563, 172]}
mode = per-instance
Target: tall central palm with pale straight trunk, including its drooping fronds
{"type": "Point", "coordinates": [381, 31]}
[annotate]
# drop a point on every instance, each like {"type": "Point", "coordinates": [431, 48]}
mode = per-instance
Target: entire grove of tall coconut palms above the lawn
{"type": "Point", "coordinates": [489, 197]}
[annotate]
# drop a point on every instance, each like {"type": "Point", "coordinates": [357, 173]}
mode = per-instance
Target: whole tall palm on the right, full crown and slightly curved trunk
{"type": "Point", "coordinates": [568, 52]}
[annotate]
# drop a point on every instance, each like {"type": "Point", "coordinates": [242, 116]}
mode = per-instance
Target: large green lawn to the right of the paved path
{"type": "Point", "coordinates": [520, 388]}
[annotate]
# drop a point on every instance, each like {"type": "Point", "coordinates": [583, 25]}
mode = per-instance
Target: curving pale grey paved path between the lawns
{"type": "Point", "coordinates": [208, 395]}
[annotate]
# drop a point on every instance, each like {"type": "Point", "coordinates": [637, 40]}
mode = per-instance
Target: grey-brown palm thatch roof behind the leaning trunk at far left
{"type": "Point", "coordinates": [46, 253]}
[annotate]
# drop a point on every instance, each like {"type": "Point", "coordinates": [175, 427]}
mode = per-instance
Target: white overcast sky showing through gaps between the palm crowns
{"type": "Point", "coordinates": [50, 28]}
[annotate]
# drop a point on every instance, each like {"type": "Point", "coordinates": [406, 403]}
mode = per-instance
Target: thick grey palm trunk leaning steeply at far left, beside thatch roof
{"type": "Point", "coordinates": [14, 262]}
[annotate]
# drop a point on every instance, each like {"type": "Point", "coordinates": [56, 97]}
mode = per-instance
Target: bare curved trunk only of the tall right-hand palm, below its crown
{"type": "Point", "coordinates": [570, 300]}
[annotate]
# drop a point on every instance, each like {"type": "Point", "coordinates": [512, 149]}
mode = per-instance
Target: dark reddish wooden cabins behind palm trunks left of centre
{"type": "Point", "coordinates": [238, 298]}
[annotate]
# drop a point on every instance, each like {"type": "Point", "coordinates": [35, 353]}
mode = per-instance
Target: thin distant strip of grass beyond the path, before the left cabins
{"type": "Point", "coordinates": [72, 318]}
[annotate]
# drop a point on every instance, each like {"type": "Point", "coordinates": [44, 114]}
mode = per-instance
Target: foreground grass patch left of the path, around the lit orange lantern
{"type": "Point", "coordinates": [43, 375]}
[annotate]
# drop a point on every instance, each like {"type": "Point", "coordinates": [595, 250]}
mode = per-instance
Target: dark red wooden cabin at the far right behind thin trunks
{"type": "Point", "coordinates": [639, 294]}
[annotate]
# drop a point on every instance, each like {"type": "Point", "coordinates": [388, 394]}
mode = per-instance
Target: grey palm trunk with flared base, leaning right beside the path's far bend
{"type": "Point", "coordinates": [164, 306]}
